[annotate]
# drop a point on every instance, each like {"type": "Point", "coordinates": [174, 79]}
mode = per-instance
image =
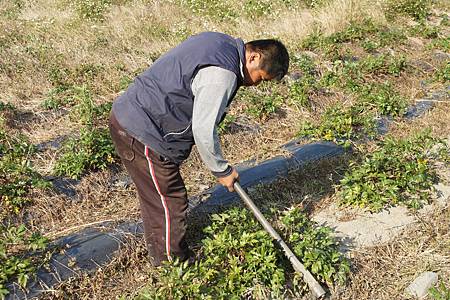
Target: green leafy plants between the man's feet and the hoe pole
{"type": "Point", "coordinates": [238, 258]}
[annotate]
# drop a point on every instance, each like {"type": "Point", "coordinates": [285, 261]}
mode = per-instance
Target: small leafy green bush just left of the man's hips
{"type": "Point", "coordinates": [91, 151]}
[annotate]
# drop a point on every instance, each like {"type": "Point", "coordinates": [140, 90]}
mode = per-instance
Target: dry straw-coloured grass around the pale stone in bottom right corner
{"type": "Point", "coordinates": [383, 272]}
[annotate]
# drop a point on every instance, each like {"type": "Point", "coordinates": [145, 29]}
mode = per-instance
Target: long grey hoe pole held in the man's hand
{"type": "Point", "coordinates": [315, 287]}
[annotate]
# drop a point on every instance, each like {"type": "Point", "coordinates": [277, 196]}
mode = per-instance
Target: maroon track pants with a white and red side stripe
{"type": "Point", "coordinates": [162, 195]}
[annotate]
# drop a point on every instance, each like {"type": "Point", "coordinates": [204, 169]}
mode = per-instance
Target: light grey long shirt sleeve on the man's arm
{"type": "Point", "coordinates": [212, 88]}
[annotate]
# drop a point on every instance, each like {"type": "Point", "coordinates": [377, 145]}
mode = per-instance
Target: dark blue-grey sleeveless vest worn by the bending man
{"type": "Point", "coordinates": [157, 107]}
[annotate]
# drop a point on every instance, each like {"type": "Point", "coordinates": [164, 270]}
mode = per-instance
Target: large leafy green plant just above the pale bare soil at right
{"type": "Point", "coordinates": [399, 171]}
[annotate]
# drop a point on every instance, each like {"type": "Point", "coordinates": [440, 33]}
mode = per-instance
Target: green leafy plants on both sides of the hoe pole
{"type": "Point", "coordinates": [237, 258]}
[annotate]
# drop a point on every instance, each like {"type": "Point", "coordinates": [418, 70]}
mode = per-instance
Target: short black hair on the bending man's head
{"type": "Point", "coordinates": [275, 58]}
